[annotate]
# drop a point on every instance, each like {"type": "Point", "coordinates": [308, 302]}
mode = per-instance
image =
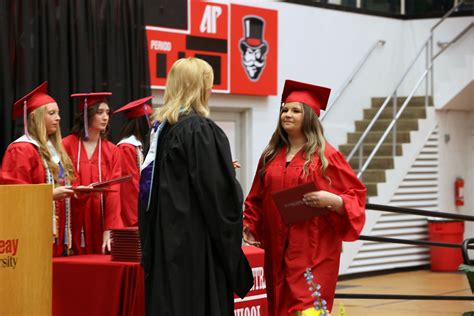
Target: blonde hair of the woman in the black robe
{"type": "Point", "coordinates": [188, 88]}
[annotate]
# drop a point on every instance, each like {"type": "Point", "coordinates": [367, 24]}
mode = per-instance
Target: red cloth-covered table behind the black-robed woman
{"type": "Point", "coordinates": [94, 285]}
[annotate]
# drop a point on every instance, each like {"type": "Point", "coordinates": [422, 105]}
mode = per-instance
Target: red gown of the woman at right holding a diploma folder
{"type": "Point", "coordinates": [315, 243]}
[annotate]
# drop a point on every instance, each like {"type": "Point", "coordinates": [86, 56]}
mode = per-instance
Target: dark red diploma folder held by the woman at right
{"type": "Point", "coordinates": [291, 206]}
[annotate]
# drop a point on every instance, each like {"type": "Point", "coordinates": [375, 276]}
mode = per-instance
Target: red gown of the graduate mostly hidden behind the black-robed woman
{"type": "Point", "coordinates": [130, 165]}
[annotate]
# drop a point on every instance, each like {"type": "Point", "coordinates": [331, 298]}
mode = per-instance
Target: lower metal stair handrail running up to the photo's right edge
{"type": "Point", "coordinates": [408, 99]}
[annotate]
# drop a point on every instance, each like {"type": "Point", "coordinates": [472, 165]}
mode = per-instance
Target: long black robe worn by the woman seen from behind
{"type": "Point", "coordinates": [191, 232]}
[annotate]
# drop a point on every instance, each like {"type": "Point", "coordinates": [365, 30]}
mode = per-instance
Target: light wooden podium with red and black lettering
{"type": "Point", "coordinates": [25, 249]}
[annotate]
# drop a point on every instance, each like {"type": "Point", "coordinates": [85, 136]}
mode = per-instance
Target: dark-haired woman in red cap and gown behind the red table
{"type": "Point", "coordinates": [95, 159]}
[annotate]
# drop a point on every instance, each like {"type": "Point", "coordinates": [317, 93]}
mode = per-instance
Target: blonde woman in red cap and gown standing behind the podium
{"type": "Point", "coordinates": [39, 157]}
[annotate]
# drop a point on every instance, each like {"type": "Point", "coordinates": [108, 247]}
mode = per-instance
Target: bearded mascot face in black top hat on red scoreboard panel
{"type": "Point", "coordinates": [253, 47]}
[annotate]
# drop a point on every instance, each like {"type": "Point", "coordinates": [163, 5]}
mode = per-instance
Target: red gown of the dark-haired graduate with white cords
{"type": "Point", "coordinates": [88, 224]}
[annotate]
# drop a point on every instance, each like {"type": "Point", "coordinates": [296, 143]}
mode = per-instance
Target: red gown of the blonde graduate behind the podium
{"type": "Point", "coordinates": [22, 161]}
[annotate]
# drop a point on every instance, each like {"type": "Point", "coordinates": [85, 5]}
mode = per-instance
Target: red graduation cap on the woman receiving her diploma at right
{"type": "Point", "coordinates": [315, 97]}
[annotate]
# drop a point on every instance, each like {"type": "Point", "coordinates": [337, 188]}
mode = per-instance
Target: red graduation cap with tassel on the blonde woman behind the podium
{"type": "Point", "coordinates": [30, 102]}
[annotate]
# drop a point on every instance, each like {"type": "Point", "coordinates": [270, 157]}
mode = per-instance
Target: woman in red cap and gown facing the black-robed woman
{"type": "Point", "coordinates": [298, 153]}
